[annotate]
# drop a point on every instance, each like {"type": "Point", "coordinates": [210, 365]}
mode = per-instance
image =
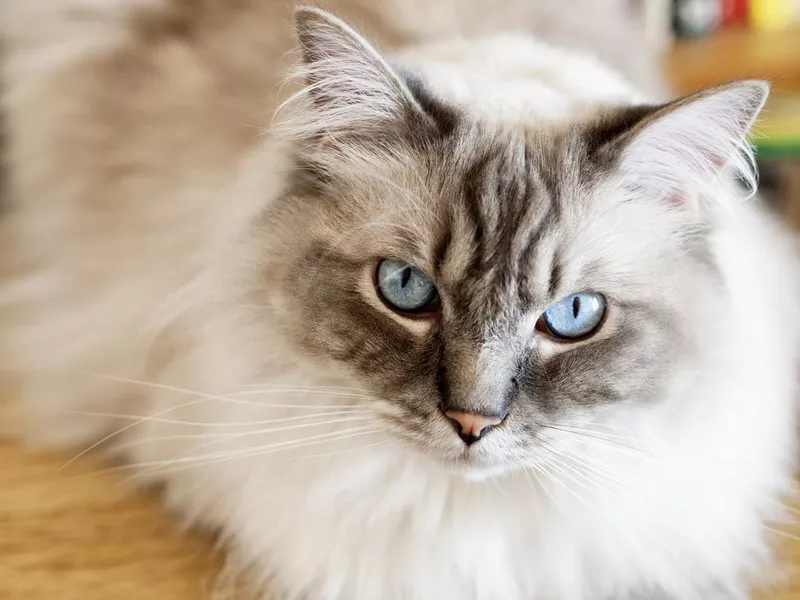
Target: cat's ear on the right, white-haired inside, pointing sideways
{"type": "Point", "coordinates": [676, 151]}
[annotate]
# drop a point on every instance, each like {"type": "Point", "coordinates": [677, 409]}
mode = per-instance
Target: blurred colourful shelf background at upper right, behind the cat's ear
{"type": "Point", "coordinates": [705, 42]}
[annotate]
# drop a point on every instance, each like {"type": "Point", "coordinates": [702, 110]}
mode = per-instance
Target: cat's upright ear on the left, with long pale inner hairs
{"type": "Point", "coordinates": [351, 92]}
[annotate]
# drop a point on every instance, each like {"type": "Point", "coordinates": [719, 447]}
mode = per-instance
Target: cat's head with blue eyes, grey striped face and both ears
{"type": "Point", "coordinates": [490, 281]}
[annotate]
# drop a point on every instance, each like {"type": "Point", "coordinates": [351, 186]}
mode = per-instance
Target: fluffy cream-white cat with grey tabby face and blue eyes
{"type": "Point", "coordinates": [476, 320]}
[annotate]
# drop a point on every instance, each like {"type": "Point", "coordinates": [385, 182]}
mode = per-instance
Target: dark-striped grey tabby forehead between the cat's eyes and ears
{"type": "Point", "coordinates": [497, 249]}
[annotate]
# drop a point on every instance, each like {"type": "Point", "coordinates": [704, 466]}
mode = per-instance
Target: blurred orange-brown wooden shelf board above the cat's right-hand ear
{"type": "Point", "coordinates": [737, 54]}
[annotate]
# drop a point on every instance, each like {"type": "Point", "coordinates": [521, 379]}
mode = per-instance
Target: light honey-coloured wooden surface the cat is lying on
{"type": "Point", "coordinates": [74, 534]}
